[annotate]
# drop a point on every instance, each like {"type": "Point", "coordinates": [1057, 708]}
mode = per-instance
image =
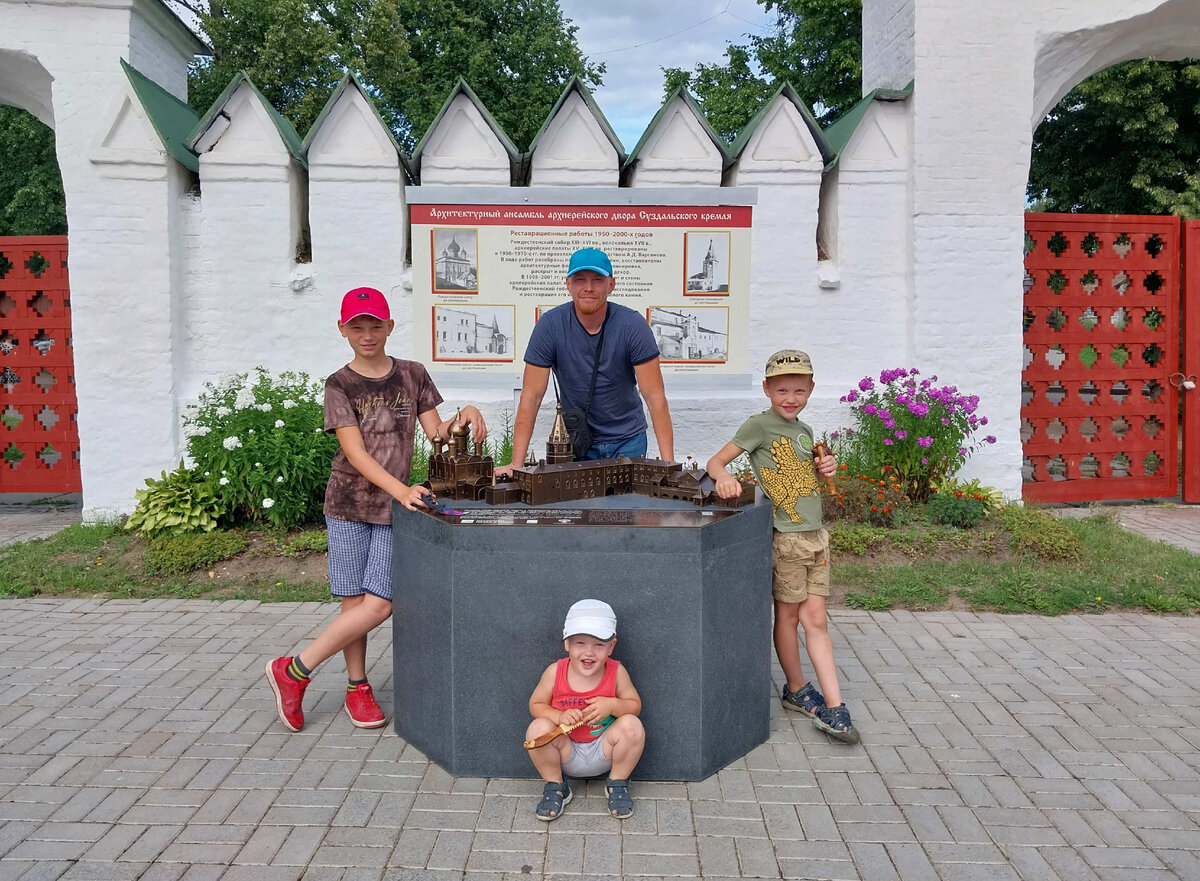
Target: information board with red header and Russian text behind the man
{"type": "Point", "coordinates": [483, 274]}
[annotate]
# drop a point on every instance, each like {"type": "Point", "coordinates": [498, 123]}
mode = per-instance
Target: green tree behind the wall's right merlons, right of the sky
{"type": "Point", "coordinates": [817, 46]}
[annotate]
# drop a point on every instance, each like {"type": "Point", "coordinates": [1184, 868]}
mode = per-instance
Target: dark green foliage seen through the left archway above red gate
{"type": "Point", "coordinates": [32, 201]}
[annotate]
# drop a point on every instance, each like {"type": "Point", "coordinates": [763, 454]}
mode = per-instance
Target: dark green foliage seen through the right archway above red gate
{"type": "Point", "coordinates": [1125, 141]}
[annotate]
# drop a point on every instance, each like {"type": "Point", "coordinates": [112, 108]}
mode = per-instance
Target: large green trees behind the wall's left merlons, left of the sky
{"type": "Point", "coordinates": [517, 55]}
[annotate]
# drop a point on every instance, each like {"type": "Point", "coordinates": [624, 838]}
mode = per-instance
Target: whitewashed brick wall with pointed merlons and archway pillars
{"type": "Point", "coordinates": [922, 217]}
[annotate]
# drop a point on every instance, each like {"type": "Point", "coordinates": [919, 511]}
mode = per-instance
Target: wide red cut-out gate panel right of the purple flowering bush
{"type": "Point", "coordinates": [1099, 411]}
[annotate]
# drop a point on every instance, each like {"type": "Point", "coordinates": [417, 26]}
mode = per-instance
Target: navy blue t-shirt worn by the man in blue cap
{"type": "Point", "coordinates": [560, 343]}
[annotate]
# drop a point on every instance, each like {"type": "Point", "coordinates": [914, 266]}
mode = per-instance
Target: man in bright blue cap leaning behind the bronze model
{"type": "Point", "coordinates": [567, 340]}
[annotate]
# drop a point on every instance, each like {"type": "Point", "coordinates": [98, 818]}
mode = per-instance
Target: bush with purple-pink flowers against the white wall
{"type": "Point", "coordinates": [922, 430]}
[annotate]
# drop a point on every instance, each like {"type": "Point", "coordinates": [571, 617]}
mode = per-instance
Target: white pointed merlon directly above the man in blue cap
{"type": "Point", "coordinates": [574, 149]}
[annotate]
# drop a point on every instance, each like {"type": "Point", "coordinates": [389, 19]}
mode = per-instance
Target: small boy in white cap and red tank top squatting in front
{"type": "Point", "coordinates": [592, 692]}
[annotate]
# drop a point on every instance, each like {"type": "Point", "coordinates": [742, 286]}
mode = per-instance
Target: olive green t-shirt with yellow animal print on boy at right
{"type": "Point", "coordinates": [781, 453]}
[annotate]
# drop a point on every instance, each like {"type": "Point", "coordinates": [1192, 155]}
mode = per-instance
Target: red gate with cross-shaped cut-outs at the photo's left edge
{"type": "Point", "coordinates": [39, 437]}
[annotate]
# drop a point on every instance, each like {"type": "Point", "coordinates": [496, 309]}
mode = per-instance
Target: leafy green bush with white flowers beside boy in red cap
{"type": "Point", "coordinates": [260, 444]}
